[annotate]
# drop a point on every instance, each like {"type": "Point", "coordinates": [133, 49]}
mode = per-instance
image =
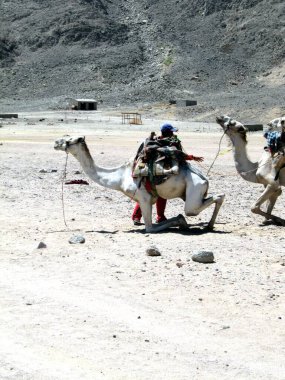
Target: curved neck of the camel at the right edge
{"type": "Point", "coordinates": [245, 167]}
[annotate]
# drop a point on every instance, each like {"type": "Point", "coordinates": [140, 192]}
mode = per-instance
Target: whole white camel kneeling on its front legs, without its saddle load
{"type": "Point", "coordinates": [189, 184]}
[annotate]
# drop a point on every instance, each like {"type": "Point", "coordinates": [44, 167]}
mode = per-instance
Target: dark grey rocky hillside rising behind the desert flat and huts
{"type": "Point", "coordinates": [226, 54]}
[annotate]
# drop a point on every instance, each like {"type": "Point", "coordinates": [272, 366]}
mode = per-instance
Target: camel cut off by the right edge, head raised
{"type": "Point", "coordinates": [257, 172]}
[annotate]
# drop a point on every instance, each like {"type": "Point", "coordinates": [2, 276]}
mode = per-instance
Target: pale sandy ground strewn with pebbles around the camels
{"type": "Point", "coordinates": [105, 310]}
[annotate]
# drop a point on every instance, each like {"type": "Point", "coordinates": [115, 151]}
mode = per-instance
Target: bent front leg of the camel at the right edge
{"type": "Point", "coordinates": [269, 193]}
